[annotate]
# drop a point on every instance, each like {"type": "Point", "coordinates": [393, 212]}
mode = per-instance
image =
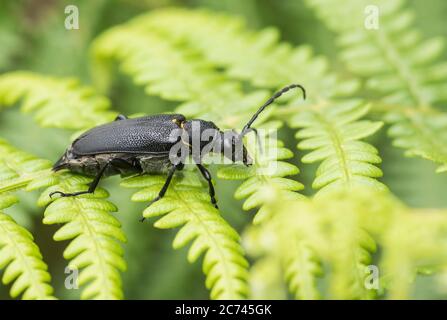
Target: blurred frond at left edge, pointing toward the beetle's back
{"type": "Point", "coordinates": [56, 102]}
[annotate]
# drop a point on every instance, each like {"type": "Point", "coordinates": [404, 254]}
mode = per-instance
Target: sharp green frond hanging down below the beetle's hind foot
{"type": "Point", "coordinates": [96, 236]}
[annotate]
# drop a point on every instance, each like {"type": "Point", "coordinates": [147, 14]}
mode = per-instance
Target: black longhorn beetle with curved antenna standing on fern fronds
{"type": "Point", "coordinates": [143, 145]}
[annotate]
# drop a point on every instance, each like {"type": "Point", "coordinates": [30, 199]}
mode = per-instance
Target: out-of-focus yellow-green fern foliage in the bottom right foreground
{"type": "Point", "coordinates": [344, 229]}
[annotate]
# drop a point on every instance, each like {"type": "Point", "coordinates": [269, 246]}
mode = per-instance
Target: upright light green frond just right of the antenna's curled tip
{"type": "Point", "coordinates": [334, 138]}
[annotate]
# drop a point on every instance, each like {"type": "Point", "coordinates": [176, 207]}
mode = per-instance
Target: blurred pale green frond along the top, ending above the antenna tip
{"type": "Point", "coordinates": [254, 56]}
